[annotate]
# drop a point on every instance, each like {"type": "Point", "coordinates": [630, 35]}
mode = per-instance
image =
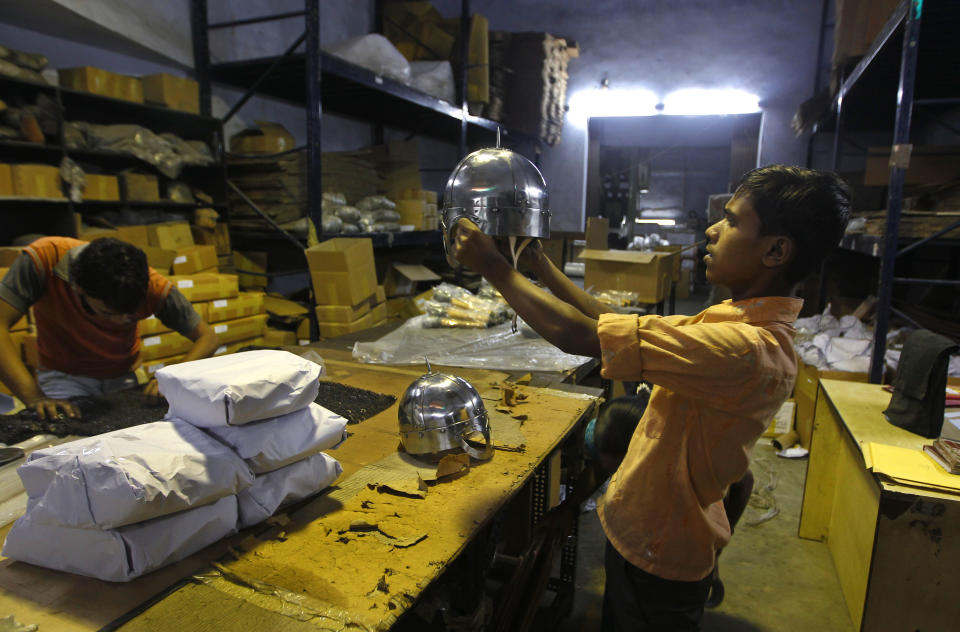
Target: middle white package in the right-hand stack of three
{"type": "Point", "coordinates": [274, 443]}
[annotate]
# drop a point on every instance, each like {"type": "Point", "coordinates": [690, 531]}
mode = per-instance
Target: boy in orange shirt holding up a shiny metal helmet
{"type": "Point", "coordinates": [718, 378]}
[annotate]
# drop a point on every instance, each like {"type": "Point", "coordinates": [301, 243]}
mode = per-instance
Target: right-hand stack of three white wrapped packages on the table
{"type": "Point", "coordinates": [260, 403]}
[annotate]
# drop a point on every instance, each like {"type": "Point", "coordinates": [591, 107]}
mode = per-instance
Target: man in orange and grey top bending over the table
{"type": "Point", "coordinates": [87, 299]}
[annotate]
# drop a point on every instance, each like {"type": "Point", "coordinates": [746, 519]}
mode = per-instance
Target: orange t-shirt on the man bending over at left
{"type": "Point", "coordinates": [72, 340]}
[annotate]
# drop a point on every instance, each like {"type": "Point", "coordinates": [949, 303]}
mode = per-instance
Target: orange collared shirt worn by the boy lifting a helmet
{"type": "Point", "coordinates": [719, 378]}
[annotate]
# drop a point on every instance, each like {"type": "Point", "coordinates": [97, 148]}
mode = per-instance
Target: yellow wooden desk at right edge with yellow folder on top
{"type": "Point", "coordinates": [888, 515]}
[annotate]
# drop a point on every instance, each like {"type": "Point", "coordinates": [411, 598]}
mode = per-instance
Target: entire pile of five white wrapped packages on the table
{"type": "Point", "coordinates": [121, 504]}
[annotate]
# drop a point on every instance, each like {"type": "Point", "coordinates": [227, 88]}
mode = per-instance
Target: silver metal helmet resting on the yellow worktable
{"type": "Point", "coordinates": [438, 412]}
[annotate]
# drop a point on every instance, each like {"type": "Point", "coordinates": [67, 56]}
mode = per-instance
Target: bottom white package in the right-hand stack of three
{"type": "Point", "coordinates": [289, 484]}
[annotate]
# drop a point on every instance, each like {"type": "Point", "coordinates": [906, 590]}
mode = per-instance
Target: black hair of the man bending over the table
{"type": "Point", "coordinates": [114, 272]}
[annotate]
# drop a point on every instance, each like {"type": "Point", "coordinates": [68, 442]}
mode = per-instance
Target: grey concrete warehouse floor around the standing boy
{"type": "Point", "coordinates": [774, 580]}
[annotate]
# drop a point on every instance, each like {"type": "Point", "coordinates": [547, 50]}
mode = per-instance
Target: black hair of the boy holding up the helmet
{"type": "Point", "coordinates": [810, 207]}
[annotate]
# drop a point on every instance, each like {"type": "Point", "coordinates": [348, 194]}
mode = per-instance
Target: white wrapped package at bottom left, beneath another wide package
{"type": "Point", "coordinates": [119, 555]}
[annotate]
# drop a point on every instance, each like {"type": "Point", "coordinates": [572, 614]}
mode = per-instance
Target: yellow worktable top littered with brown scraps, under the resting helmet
{"type": "Point", "coordinates": [315, 572]}
